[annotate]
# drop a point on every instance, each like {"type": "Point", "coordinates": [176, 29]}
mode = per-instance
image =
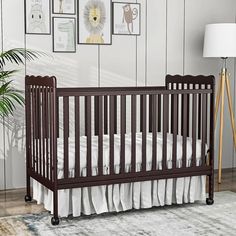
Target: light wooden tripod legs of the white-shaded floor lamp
{"type": "Point", "coordinates": [224, 82]}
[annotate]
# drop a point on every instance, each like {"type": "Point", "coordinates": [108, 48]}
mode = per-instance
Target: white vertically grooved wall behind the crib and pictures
{"type": "Point", "coordinates": [170, 42]}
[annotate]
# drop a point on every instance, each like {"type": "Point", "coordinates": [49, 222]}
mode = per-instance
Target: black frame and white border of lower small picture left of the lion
{"type": "Point", "coordinates": [53, 34]}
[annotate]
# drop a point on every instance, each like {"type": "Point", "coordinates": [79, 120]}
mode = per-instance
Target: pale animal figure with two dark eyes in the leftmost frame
{"type": "Point", "coordinates": [36, 19]}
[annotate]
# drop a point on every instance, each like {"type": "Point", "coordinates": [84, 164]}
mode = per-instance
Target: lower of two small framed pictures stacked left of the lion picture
{"type": "Point", "coordinates": [64, 35]}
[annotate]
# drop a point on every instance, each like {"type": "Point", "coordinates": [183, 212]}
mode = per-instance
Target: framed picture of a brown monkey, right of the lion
{"type": "Point", "coordinates": [126, 18]}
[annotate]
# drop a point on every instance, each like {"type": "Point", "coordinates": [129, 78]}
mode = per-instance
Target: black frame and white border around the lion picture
{"type": "Point", "coordinates": [79, 28]}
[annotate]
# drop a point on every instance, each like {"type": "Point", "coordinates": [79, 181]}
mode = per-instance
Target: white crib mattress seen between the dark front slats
{"type": "Point", "coordinates": [94, 149]}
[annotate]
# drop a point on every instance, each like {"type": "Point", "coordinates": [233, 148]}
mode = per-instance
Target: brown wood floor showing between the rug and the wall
{"type": "Point", "coordinates": [12, 201]}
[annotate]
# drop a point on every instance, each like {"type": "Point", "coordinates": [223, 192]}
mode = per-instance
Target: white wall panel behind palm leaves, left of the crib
{"type": "Point", "coordinates": [13, 37]}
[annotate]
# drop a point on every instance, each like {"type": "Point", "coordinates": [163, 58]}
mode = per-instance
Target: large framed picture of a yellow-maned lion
{"type": "Point", "coordinates": [94, 22]}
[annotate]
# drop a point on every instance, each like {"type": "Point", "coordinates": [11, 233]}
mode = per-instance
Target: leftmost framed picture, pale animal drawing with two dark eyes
{"type": "Point", "coordinates": [37, 17]}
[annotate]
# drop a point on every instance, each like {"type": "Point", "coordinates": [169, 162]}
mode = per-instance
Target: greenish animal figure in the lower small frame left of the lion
{"type": "Point", "coordinates": [68, 27]}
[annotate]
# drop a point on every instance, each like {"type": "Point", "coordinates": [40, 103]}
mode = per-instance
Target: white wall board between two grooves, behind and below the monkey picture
{"type": "Point", "coordinates": [121, 54]}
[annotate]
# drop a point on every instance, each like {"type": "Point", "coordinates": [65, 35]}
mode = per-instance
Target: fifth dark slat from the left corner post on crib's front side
{"type": "Point", "coordinates": [111, 133]}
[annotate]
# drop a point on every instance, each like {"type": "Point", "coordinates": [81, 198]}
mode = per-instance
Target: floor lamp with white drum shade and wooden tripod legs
{"type": "Point", "coordinates": [220, 42]}
